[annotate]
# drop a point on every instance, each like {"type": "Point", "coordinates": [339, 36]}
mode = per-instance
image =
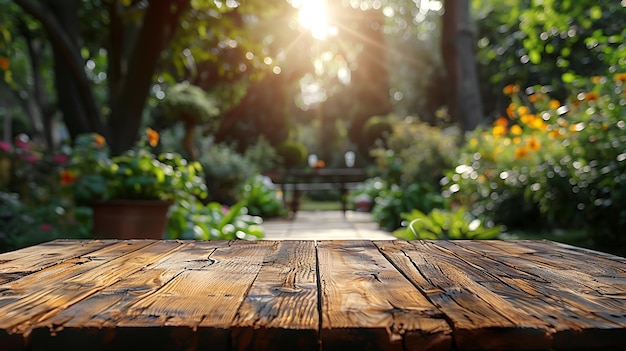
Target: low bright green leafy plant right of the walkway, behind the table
{"type": "Point", "coordinates": [444, 225]}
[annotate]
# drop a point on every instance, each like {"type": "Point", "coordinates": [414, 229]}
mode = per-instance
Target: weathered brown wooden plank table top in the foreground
{"type": "Point", "coordinates": [311, 295]}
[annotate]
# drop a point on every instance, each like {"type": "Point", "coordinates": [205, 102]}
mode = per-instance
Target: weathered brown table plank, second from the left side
{"type": "Point", "coordinates": [33, 298]}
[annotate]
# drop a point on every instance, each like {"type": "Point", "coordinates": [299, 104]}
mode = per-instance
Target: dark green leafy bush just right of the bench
{"type": "Point", "coordinates": [395, 200]}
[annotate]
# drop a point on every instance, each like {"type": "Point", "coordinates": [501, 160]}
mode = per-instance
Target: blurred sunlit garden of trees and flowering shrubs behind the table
{"type": "Point", "coordinates": [474, 119]}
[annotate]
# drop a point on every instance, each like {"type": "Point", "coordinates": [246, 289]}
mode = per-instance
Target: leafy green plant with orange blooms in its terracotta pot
{"type": "Point", "coordinates": [130, 193]}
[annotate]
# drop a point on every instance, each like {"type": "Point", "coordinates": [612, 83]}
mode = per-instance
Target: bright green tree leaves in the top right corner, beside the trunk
{"type": "Point", "coordinates": [545, 42]}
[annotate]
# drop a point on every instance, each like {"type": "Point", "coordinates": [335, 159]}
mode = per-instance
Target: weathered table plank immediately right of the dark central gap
{"type": "Point", "coordinates": [367, 304]}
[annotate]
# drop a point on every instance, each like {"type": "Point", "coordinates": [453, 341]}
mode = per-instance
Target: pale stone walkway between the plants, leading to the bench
{"type": "Point", "coordinates": [325, 225]}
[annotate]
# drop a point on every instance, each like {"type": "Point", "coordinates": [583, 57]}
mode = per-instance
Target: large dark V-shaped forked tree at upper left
{"type": "Point", "coordinates": [133, 35]}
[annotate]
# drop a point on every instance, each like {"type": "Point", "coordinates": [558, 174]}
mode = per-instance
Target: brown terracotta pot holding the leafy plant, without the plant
{"type": "Point", "coordinates": [130, 219]}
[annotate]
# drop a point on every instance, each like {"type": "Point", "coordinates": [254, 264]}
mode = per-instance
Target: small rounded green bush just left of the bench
{"type": "Point", "coordinates": [262, 199]}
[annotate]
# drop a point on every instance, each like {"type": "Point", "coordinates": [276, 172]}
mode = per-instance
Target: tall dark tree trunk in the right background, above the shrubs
{"type": "Point", "coordinates": [457, 47]}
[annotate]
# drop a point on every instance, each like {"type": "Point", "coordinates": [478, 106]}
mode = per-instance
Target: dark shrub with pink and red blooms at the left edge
{"type": "Point", "coordinates": [33, 207]}
